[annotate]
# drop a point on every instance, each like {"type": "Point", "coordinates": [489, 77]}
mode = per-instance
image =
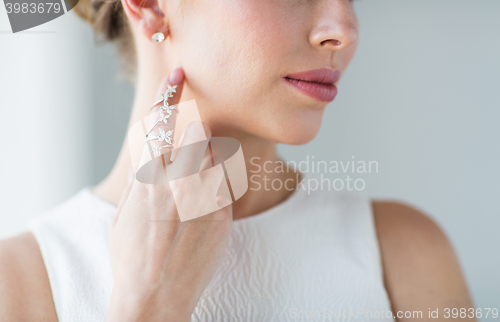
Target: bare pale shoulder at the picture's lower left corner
{"type": "Point", "coordinates": [25, 293]}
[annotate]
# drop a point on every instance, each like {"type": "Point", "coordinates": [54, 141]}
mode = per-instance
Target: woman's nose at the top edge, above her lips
{"type": "Point", "coordinates": [336, 27]}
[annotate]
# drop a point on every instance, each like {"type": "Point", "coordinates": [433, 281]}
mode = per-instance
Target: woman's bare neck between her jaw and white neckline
{"type": "Point", "coordinates": [254, 148]}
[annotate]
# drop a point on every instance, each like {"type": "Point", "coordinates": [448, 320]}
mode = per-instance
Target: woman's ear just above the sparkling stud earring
{"type": "Point", "coordinates": [147, 16]}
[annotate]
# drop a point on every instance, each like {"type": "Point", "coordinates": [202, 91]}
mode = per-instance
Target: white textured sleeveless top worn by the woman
{"type": "Point", "coordinates": [315, 256]}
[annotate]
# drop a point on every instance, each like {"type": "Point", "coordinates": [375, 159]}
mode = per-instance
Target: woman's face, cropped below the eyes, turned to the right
{"type": "Point", "coordinates": [236, 54]}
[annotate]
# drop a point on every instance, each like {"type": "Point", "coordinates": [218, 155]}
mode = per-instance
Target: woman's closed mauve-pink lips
{"type": "Point", "coordinates": [318, 83]}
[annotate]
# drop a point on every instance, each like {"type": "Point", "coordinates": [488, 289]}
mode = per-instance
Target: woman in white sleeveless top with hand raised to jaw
{"type": "Point", "coordinates": [262, 72]}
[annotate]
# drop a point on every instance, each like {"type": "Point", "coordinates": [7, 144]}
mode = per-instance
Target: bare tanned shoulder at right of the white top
{"type": "Point", "coordinates": [421, 270]}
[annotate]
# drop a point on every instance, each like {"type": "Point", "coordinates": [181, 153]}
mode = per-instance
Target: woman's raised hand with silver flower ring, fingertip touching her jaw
{"type": "Point", "coordinates": [161, 265]}
